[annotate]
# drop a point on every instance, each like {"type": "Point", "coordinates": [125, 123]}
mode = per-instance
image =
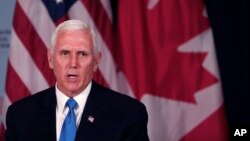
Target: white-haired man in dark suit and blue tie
{"type": "Point", "coordinates": [76, 108]}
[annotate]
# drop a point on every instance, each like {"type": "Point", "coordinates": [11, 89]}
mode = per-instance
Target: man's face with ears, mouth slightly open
{"type": "Point", "coordinates": [73, 61]}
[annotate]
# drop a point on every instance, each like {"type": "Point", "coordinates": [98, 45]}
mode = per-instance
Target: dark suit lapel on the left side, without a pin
{"type": "Point", "coordinates": [48, 116]}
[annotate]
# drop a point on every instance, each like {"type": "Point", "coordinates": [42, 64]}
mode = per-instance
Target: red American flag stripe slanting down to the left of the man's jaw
{"type": "Point", "coordinates": [38, 53]}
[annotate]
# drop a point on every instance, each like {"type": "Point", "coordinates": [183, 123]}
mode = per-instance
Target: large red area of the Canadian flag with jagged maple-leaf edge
{"type": "Point", "coordinates": [148, 42]}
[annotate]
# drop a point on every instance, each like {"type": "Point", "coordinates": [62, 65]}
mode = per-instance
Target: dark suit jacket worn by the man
{"type": "Point", "coordinates": [117, 117]}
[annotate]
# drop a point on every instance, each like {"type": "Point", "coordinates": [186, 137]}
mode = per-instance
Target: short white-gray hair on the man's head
{"type": "Point", "coordinates": [73, 25]}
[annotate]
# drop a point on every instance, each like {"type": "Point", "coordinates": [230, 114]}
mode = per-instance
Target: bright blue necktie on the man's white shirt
{"type": "Point", "coordinates": [68, 131]}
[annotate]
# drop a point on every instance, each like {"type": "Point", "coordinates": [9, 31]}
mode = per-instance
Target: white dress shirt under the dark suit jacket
{"type": "Point", "coordinates": [62, 110]}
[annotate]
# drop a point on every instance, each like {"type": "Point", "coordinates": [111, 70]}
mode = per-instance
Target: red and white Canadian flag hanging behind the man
{"type": "Point", "coordinates": [167, 55]}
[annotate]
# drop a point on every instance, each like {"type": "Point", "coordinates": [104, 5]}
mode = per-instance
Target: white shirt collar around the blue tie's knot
{"type": "Point", "coordinates": [80, 98]}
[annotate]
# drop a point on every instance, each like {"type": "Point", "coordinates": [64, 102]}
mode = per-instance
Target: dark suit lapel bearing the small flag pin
{"type": "Point", "coordinates": [91, 113]}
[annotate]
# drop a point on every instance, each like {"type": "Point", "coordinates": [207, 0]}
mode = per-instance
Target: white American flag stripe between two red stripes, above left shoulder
{"type": "Point", "coordinates": [24, 66]}
